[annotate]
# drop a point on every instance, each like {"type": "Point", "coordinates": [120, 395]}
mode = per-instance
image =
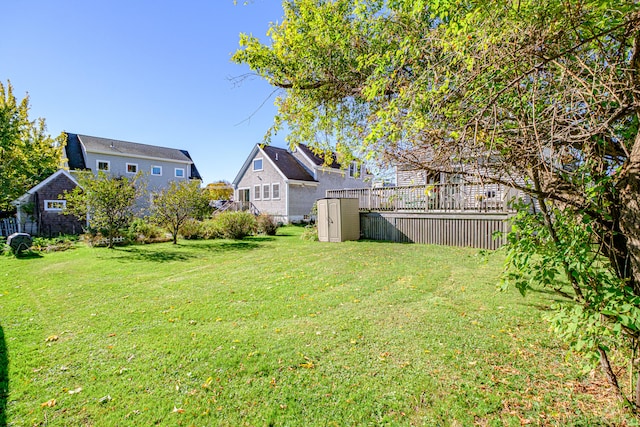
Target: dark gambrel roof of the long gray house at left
{"type": "Point", "coordinates": [93, 144]}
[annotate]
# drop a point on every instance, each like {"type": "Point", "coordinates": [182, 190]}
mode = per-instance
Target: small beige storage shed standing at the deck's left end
{"type": "Point", "coordinates": [338, 220]}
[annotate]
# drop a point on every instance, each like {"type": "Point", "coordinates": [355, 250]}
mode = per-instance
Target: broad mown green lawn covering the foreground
{"type": "Point", "coordinates": [284, 332]}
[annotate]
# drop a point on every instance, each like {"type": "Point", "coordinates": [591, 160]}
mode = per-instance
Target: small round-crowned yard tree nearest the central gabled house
{"type": "Point", "coordinates": [176, 204]}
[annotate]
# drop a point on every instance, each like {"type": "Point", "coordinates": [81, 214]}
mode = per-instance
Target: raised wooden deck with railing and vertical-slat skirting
{"type": "Point", "coordinates": [442, 214]}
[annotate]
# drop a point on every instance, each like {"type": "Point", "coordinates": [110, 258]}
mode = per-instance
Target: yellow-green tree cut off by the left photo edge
{"type": "Point", "coordinates": [27, 153]}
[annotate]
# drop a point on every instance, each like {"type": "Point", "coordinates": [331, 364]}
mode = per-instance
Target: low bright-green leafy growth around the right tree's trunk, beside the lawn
{"type": "Point", "coordinates": [599, 311]}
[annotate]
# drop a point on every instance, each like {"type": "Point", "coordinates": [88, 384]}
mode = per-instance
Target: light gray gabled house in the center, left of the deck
{"type": "Point", "coordinates": [286, 184]}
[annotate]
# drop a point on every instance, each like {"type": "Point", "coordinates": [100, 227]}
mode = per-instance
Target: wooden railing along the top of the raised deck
{"type": "Point", "coordinates": [433, 198]}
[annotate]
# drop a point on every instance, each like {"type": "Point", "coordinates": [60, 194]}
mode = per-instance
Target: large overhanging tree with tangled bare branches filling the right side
{"type": "Point", "coordinates": [542, 96]}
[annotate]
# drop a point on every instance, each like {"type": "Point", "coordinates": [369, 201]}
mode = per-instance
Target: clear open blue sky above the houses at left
{"type": "Point", "coordinates": [154, 72]}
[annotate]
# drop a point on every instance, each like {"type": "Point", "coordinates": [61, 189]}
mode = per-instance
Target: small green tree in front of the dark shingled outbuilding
{"type": "Point", "coordinates": [108, 202]}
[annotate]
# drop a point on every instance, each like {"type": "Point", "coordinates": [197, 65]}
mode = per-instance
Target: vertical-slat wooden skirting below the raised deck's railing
{"type": "Point", "coordinates": [468, 229]}
